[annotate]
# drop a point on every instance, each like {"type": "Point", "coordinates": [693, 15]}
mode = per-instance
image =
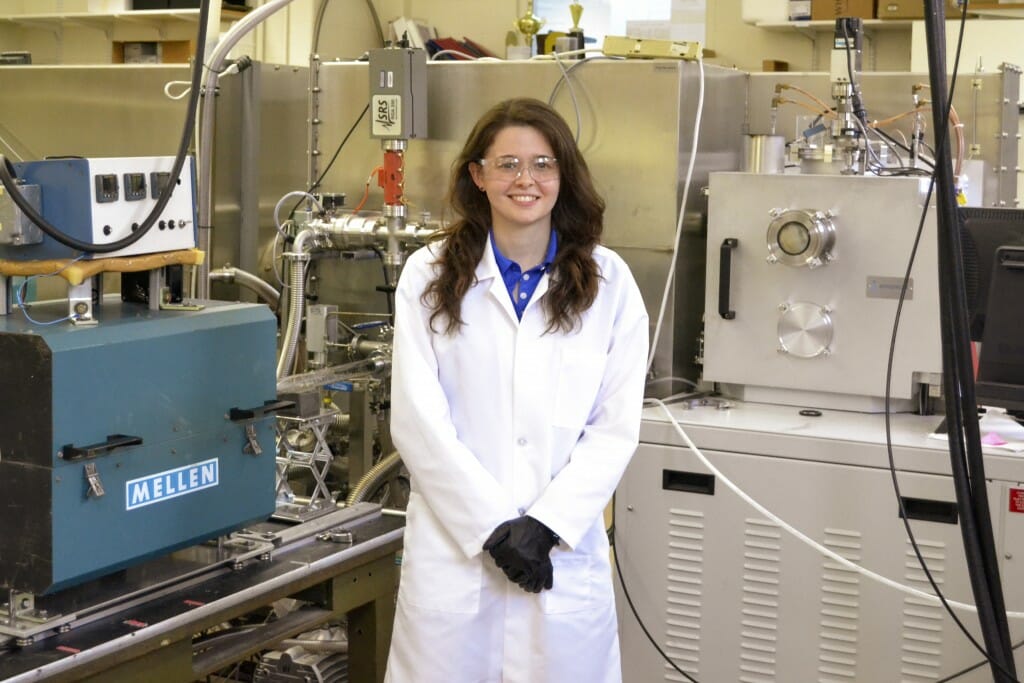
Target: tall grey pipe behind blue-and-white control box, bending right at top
{"type": "Point", "coordinates": [204, 184]}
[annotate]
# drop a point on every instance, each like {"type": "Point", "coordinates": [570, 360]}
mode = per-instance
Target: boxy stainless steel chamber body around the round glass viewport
{"type": "Point", "coordinates": [848, 365]}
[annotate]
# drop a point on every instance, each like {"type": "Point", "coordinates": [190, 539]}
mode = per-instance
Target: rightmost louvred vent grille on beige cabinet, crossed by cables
{"type": "Point", "coordinates": [921, 652]}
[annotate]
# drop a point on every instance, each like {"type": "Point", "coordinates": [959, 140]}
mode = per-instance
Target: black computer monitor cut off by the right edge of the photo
{"type": "Point", "coordinates": [993, 242]}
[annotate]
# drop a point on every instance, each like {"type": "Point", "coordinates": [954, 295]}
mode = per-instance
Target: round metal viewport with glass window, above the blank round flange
{"type": "Point", "coordinates": [801, 238]}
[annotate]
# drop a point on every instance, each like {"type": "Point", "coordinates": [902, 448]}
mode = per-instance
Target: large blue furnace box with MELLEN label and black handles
{"type": "Point", "coordinates": [129, 440]}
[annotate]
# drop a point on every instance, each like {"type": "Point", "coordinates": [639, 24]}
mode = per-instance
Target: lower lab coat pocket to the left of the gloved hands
{"type": "Point", "coordinates": [436, 574]}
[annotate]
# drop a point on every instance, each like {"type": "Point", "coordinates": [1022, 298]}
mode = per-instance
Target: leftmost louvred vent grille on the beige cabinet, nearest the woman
{"type": "Point", "coordinates": [684, 591]}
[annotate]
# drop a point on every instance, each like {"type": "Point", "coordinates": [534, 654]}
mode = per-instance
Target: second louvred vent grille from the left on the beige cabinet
{"type": "Point", "coordinates": [759, 635]}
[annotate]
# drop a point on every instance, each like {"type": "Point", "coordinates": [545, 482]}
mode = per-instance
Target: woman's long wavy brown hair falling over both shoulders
{"type": "Point", "coordinates": [578, 219]}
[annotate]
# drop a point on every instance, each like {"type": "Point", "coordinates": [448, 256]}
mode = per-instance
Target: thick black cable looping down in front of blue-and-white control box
{"type": "Point", "coordinates": [9, 182]}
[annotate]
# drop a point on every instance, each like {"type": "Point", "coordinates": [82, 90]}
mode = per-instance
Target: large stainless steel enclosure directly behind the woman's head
{"type": "Point", "coordinates": [636, 124]}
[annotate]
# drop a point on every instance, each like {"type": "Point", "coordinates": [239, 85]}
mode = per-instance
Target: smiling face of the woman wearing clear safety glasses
{"type": "Point", "coordinates": [522, 204]}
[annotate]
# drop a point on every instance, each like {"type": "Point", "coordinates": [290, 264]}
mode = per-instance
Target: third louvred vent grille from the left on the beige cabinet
{"type": "Point", "coordinates": [840, 617]}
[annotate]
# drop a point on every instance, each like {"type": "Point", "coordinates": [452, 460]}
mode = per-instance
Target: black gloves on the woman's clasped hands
{"type": "Point", "coordinates": [522, 549]}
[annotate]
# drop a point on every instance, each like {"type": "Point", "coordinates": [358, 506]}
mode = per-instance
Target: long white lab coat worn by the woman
{"type": "Point", "coordinates": [494, 422]}
